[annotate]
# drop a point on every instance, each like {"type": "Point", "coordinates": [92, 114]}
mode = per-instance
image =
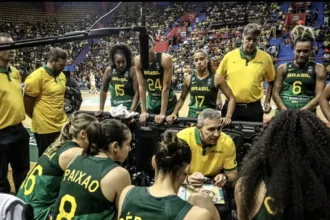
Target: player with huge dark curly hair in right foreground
{"type": "Point", "coordinates": [286, 174]}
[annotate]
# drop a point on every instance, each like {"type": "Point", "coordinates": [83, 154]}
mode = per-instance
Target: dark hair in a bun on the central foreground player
{"type": "Point", "coordinates": [173, 154]}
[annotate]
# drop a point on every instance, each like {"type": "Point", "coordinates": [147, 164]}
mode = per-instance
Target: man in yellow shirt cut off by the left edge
{"type": "Point", "coordinates": [14, 139]}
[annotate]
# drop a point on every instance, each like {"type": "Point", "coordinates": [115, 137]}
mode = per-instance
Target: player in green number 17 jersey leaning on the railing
{"type": "Point", "coordinates": [205, 89]}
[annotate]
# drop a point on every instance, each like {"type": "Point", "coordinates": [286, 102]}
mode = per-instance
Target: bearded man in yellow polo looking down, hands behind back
{"type": "Point", "coordinates": [44, 99]}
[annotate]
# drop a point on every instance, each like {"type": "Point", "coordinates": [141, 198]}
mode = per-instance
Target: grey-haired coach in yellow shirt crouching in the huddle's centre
{"type": "Point", "coordinates": [212, 150]}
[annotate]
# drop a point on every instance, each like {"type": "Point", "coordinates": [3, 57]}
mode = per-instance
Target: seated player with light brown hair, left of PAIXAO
{"type": "Point", "coordinates": [40, 188]}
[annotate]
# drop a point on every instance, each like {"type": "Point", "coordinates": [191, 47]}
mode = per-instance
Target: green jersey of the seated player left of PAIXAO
{"type": "Point", "coordinates": [42, 185]}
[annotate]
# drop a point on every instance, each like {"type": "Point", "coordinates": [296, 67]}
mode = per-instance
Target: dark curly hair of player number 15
{"type": "Point", "coordinates": [124, 50]}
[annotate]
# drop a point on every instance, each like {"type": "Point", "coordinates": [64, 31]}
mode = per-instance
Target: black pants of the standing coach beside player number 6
{"type": "Point", "coordinates": [251, 112]}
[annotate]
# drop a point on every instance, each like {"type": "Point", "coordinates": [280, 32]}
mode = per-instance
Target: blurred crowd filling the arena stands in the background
{"type": "Point", "coordinates": [218, 34]}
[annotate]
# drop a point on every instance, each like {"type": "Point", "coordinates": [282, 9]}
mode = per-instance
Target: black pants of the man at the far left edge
{"type": "Point", "coordinates": [14, 149]}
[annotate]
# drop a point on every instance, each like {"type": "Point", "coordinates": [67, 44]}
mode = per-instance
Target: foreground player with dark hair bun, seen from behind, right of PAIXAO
{"type": "Point", "coordinates": [160, 201]}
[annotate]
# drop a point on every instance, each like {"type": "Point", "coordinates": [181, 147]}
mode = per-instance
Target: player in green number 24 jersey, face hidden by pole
{"type": "Point", "coordinates": [161, 98]}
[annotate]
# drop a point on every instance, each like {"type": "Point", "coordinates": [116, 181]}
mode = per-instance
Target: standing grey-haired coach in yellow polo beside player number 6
{"type": "Point", "coordinates": [246, 68]}
